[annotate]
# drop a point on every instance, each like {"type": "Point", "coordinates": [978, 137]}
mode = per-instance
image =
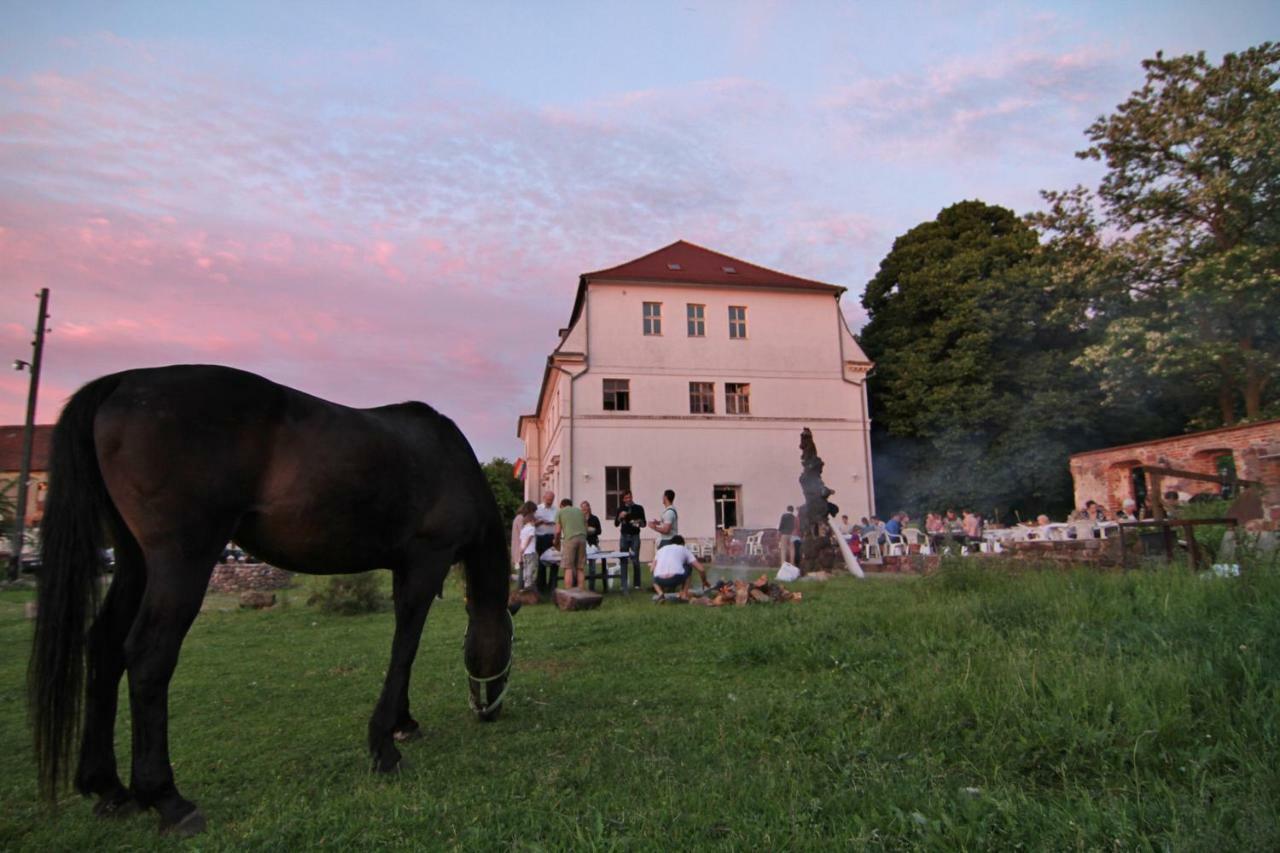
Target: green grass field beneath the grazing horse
{"type": "Point", "coordinates": [970, 710]}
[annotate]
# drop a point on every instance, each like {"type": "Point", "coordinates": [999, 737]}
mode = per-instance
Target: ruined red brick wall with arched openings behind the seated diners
{"type": "Point", "coordinates": [1105, 476]}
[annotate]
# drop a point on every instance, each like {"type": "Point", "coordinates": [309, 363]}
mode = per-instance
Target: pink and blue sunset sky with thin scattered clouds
{"type": "Point", "coordinates": [388, 202]}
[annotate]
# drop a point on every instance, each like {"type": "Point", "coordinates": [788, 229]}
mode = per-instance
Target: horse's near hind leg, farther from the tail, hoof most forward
{"type": "Point", "coordinates": [176, 586]}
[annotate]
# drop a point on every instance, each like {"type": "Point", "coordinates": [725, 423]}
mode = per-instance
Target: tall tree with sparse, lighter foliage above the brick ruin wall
{"type": "Point", "coordinates": [1187, 288]}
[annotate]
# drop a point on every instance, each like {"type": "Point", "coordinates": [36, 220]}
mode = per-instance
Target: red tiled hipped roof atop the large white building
{"type": "Point", "coordinates": [689, 264]}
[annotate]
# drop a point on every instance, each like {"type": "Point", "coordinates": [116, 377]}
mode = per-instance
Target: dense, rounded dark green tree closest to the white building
{"type": "Point", "coordinates": [975, 402]}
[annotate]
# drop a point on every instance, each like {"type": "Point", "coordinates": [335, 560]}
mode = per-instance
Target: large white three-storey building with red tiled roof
{"type": "Point", "coordinates": [693, 371]}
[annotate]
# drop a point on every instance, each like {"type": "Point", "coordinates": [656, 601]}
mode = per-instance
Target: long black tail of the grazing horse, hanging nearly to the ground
{"type": "Point", "coordinates": [67, 585]}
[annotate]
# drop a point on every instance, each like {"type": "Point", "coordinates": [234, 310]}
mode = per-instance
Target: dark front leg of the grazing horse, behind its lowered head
{"type": "Point", "coordinates": [414, 587]}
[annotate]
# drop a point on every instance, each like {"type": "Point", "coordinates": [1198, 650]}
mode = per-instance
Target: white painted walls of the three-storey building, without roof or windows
{"type": "Point", "coordinates": [798, 358]}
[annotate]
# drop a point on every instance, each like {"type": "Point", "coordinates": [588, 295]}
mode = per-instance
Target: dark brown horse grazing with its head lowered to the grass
{"type": "Point", "coordinates": [168, 466]}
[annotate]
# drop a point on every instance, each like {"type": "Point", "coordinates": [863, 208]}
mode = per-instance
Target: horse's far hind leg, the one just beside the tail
{"type": "Point", "coordinates": [98, 774]}
